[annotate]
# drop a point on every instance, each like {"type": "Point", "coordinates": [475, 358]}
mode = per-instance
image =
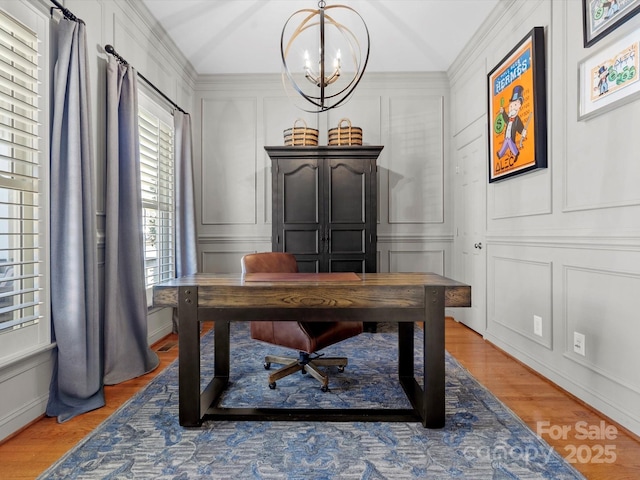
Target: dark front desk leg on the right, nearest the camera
{"type": "Point", "coordinates": [434, 379]}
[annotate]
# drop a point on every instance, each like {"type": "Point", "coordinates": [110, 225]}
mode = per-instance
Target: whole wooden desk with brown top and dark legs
{"type": "Point", "coordinates": [404, 298]}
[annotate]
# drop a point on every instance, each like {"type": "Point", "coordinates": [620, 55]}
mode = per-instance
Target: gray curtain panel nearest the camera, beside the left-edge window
{"type": "Point", "coordinates": [76, 385]}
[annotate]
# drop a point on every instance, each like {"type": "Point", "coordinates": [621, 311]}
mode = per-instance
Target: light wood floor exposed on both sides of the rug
{"type": "Point", "coordinates": [30, 452]}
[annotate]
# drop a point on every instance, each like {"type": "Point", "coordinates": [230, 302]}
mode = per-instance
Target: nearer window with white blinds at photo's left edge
{"type": "Point", "coordinates": [23, 192]}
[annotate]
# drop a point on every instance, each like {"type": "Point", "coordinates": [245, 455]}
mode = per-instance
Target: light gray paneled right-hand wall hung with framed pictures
{"type": "Point", "coordinates": [563, 243]}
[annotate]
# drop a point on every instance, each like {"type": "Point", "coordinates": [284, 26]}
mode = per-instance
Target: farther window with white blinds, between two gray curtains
{"type": "Point", "coordinates": [156, 176]}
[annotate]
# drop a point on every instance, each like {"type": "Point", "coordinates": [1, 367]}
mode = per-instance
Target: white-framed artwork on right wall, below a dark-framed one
{"type": "Point", "coordinates": [609, 78]}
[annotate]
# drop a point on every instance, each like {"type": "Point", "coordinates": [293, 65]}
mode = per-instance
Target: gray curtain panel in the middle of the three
{"type": "Point", "coordinates": [127, 354]}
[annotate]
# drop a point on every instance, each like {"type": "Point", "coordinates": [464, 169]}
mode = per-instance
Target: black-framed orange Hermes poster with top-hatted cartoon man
{"type": "Point", "coordinates": [518, 110]}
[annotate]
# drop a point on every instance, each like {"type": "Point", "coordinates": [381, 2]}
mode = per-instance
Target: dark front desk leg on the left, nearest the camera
{"type": "Point", "coordinates": [188, 357]}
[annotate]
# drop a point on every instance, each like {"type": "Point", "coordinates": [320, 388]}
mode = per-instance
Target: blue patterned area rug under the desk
{"type": "Point", "coordinates": [482, 438]}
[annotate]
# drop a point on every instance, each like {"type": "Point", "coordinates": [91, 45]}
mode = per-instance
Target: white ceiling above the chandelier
{"type": "Point", "coordinates": [243, 36]}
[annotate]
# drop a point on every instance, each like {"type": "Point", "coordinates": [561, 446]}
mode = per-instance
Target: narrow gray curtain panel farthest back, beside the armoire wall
{"type": "Point", "coordinates": [186, 236]}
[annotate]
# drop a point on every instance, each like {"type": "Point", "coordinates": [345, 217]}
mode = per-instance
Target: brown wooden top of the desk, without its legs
{"type": "Point", "coordinates": [229, 290]}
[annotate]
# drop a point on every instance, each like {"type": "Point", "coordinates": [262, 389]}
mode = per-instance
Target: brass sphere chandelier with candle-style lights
{"type": "Point", "coordinates": [324, 83]}
